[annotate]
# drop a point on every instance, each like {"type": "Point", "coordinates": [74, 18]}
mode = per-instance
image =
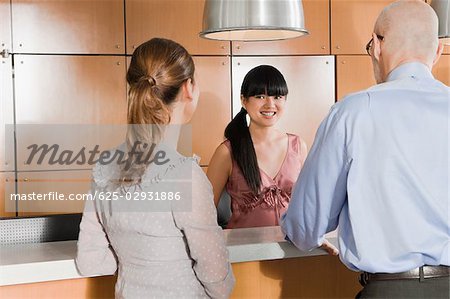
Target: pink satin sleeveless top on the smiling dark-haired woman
{"type": "Point", "coordinates": [265, 209]}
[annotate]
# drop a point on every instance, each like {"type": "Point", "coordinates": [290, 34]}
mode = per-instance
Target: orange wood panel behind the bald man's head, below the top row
{"type": "Point", "coordinates": [355, 73]}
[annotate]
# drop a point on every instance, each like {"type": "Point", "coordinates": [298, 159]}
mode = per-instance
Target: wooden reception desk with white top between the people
{"type": "Point", "coordinates": [264, 264]}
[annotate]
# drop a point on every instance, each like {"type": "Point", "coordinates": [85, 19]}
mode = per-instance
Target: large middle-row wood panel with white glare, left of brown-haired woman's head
{"type": "Point", "coordinates": [63, 90]}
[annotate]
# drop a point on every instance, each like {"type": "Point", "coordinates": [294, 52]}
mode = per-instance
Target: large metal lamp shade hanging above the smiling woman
{"type": "Point", "coordinates": [253, 20]}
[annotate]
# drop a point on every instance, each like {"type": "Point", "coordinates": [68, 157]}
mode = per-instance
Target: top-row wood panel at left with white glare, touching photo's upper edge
{"type": "Point", "coordinates": [71, 26]}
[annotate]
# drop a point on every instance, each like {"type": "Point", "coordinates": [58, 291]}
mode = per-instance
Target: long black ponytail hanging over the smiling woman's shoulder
{"type": "Point", "coordinates": [243, 151]}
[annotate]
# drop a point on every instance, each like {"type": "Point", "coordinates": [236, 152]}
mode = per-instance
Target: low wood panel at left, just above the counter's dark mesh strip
{"type": "Point", "coordinates": [70, 188]}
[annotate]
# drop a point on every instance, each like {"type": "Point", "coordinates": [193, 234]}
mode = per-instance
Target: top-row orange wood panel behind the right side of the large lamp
{"type": "Point", "coordinates": [317, 22]}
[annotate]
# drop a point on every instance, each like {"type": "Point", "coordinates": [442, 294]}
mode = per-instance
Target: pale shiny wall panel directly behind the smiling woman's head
{"type": "Point", "coordinates": [311, 90]}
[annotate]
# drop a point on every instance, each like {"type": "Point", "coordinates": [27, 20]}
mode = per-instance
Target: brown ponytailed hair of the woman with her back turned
{"type": "Point", "coordinates": [157, 70]}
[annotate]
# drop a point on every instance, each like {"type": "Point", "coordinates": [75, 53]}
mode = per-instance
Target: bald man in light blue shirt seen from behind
{"type": "Point", "coordinates": [379, 167]}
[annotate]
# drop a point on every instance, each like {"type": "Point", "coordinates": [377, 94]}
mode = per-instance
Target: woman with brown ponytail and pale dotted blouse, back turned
{"type": "Point", "coordinates": [164, 241]}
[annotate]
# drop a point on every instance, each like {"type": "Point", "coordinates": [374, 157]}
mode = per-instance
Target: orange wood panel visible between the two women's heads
{"type": "Point", "coordinates": [214, 107]}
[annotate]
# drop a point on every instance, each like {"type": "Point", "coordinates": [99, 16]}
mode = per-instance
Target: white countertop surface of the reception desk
{"type": "Point", "coordinates": [38, 262]}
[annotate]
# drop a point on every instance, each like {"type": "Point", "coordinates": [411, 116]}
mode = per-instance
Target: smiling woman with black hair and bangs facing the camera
{"type": "Point", "coordinates": [257, 163]}
